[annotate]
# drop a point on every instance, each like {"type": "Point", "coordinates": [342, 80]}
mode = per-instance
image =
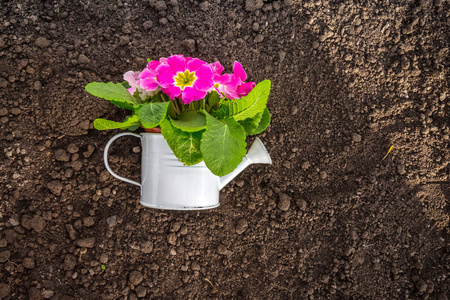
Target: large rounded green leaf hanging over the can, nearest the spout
{"type": "Point", "coordinates": [223, 144]}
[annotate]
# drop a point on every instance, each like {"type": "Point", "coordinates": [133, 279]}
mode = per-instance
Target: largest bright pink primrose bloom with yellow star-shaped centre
{"type": "Point", "coordinates": [184, 77]}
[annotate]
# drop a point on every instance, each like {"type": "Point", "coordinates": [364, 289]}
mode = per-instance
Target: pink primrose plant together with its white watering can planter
{"type": "Point", "coordinates": [195, 113]}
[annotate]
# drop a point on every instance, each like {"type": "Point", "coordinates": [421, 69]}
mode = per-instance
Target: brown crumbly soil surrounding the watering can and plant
{"type": "Point", "coordinates": [332, 218]}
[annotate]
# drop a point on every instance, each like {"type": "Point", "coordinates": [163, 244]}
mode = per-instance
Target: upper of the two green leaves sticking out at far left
{"type": "Point", "coordinates": [111, 91]}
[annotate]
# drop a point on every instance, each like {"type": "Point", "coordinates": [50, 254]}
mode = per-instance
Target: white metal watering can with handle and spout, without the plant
{"type": "Point", "coordinates": [169, 184]}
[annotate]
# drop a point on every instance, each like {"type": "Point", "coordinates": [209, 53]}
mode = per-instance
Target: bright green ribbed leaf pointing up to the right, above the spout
{"type": "Point", "coordinates": [248, 106]}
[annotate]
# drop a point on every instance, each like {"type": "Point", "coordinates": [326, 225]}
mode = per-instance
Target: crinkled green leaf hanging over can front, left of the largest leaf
{"type": "Point", "coordinates": [185, 145]}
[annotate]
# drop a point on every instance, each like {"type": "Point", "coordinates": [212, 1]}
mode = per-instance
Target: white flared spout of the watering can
{"type": "Point", "coordinates": [256, 155]}
